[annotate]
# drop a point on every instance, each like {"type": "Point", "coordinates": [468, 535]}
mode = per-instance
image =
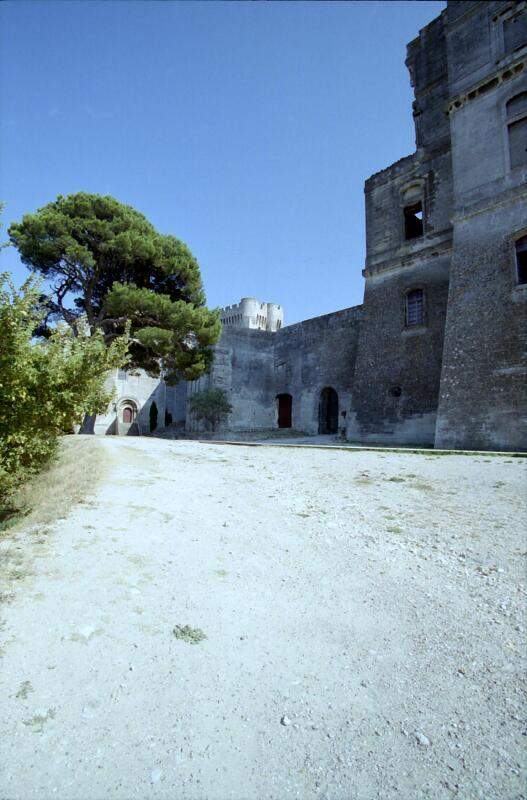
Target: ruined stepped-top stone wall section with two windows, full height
{"type": "Point", "coordinates": [398, 368]}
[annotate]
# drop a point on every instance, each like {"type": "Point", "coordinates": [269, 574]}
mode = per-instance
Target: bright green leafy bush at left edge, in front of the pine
{"type": "Point", "coordinates": [47, 386]}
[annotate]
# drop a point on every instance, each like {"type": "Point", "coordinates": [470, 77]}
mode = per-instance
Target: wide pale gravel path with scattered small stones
{"type": "Point", "coordinates": [363, 623]}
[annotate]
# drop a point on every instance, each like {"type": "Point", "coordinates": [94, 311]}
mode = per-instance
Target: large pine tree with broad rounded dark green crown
{"type": "Point", "coordinates": [104, 261]}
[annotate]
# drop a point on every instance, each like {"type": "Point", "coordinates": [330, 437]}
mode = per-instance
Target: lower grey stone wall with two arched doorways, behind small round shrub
{"type": "Point", "coordinates": [253, 367]}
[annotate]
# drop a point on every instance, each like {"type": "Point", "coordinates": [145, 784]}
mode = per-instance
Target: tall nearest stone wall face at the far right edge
{"type": "Point", "coordinates": [483, 401]}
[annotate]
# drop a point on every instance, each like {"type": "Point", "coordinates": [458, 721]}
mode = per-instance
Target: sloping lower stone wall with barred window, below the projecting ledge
{"type": "Point", "coordinates": [397, 373]}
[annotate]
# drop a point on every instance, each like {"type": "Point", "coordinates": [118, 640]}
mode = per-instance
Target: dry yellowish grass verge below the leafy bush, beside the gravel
{"type": "Point", "coordinates": [69, 479]}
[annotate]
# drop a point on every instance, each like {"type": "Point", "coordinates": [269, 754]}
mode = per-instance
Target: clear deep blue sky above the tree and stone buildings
{"type": "Point", "coordinates": [246, 129]}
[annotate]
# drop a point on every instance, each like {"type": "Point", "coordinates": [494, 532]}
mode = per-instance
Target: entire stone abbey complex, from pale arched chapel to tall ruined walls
{"type": "Point", "coordinates": [435, 355]}
